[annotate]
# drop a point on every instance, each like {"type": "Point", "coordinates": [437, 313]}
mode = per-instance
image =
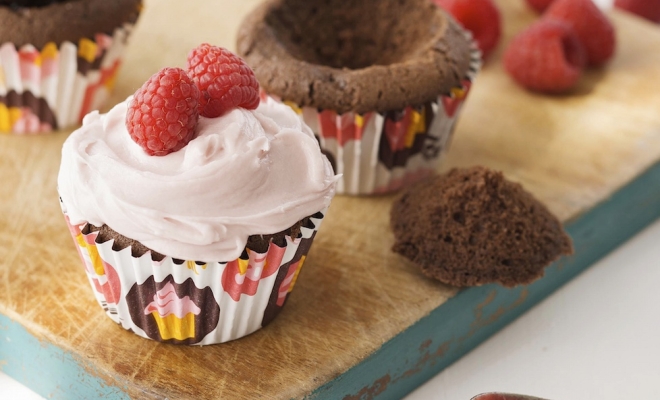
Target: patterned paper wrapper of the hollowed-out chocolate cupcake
{"type": "Point", "coordinates": [382, 152]}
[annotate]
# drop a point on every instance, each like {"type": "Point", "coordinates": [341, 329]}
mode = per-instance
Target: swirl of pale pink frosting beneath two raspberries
{"type": "Point", "coordinates": [245, 173]}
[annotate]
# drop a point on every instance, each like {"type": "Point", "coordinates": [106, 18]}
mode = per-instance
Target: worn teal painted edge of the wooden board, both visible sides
{"type": "Point", "coordinates": [407, 360]}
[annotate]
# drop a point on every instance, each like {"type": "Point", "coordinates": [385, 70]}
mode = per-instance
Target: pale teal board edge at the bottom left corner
{"type": "Point", "coordinates": [48, 370]}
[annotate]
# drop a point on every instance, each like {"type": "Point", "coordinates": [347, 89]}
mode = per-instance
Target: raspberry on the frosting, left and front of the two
{"type": "Point", "coordinates": [163, 113]}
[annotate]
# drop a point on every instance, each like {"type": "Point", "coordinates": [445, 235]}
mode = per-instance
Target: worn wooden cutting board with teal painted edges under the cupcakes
{"type": "Point", "coordinates": [362, 322]}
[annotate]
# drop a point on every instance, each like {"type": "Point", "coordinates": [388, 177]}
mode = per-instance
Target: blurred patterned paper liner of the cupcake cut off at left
{"type": "Point", "coordinates": [56, 86]}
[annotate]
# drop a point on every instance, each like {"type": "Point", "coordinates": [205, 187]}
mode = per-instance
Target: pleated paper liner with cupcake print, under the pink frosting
{"type": "Point", "coordinates": [192, 302]}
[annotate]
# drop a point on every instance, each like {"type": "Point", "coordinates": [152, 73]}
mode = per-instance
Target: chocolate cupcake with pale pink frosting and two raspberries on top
{"type": "Point", "coordinates": [194, 238]}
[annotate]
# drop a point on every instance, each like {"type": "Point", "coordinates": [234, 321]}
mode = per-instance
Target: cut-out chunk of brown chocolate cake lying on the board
{"type": "Point", "coordinates": [471, 227]}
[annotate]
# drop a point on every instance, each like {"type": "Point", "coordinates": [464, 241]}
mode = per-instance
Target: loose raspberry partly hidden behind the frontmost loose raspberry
{"type": "Point", "coordinates": [592, 27]}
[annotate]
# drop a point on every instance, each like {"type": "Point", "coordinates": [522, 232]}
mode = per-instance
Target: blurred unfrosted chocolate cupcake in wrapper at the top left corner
{"type": "Point", "coordinates": [59, 59]}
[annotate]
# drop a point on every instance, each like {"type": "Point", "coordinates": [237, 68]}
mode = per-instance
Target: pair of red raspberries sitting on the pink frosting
{"type": "Point", "coordinates": [163, 114]}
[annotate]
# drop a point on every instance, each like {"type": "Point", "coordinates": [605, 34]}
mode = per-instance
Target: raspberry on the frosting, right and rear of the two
{"type": "Point", "coordinates": [224, 80]}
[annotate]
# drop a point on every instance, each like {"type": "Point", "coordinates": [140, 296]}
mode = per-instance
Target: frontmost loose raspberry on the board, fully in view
{"type": "Point", "coordinates": [546, 57]}
